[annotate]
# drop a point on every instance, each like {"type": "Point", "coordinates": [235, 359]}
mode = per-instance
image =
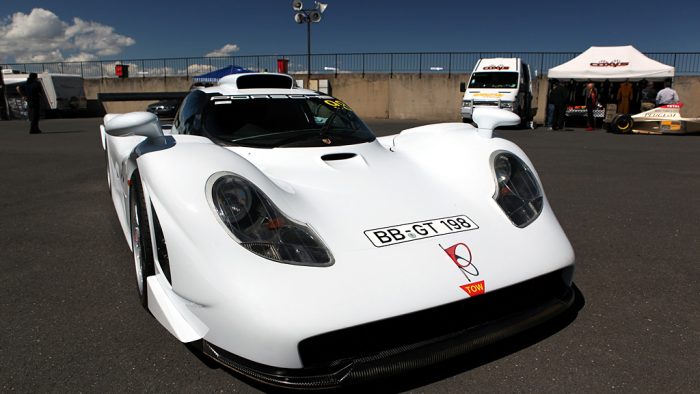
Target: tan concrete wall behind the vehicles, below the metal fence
{"type": "Point", "coordinates": [431, 97]}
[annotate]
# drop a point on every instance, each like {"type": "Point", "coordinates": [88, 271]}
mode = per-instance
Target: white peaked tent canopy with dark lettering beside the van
{"type": "Point", "coordinates": [612, 63]}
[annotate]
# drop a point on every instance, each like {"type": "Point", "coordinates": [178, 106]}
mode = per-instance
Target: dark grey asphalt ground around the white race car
{"type": "Point", "coordinates": [70, 318]}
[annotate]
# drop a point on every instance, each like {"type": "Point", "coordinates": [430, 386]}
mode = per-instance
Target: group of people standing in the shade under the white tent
{"type": "Point", "coordinates": [629, 97]}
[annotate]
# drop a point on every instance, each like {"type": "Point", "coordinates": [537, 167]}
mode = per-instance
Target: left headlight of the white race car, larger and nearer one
{"type": "Point", "coordinates": [259, 226]}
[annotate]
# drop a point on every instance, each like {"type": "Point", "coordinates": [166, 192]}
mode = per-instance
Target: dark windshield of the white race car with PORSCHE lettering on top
{"type": "Point", "coordinates": [271, 121]}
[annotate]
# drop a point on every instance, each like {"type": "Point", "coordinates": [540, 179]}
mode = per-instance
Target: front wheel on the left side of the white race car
{"type": "Point", "coordinates": [141, 239]}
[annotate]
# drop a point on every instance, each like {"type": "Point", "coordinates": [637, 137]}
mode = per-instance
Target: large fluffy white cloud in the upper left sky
{"type": "Point", "coordinates": [41, 36]}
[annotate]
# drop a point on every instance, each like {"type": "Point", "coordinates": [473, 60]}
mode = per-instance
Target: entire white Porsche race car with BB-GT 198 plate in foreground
{"type": "Point", "coordinates": [271, 228]}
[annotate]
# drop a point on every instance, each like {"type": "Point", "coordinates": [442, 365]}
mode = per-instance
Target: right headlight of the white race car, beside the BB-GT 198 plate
{"type": "Point", "coordinates": [517, 191]}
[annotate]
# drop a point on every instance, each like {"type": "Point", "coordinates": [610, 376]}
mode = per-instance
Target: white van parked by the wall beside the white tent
{"type": "Point", "coordinates": [499, 82]}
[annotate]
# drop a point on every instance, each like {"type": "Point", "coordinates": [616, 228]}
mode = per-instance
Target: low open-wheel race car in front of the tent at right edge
{"type": "Point", "coordinates": [666, 119]}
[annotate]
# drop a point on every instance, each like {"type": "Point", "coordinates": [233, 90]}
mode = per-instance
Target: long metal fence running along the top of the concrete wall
{"type": "Point", "coordinates": [686, 63]}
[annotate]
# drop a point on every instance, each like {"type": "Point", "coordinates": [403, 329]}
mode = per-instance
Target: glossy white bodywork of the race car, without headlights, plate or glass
{"type": "Point", "coordinates": [225, 294]}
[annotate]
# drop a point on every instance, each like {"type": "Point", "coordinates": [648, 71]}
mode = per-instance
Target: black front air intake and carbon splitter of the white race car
{"type": "Point", "coordinates": [405, 343]}
